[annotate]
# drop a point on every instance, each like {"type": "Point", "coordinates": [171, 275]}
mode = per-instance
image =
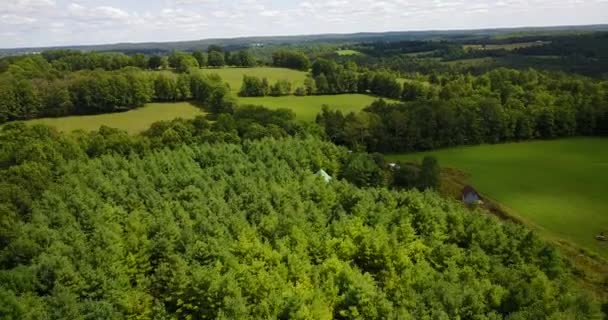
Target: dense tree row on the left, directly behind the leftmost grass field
{"type": "Point", "coordinates": [94, 92]}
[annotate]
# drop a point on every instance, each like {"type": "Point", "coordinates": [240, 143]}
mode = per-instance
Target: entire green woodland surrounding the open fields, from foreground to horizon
{"type": "Point", "coordinates": [227, 217]}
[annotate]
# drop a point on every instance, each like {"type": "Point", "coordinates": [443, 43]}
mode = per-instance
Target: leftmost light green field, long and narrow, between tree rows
{"type": "Point", "coordinates": [133, 121]}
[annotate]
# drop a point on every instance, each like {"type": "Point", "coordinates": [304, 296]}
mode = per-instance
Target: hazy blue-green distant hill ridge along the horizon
{"type": "Point", "coordinates": [239, 43]}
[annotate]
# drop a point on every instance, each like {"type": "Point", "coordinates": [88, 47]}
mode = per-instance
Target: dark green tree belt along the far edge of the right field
{"type": "Point", "coordinates": [502, 105]}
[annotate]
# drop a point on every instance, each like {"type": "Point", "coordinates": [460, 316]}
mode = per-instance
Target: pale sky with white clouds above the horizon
{"type": "Point", "coordinates": [69, 22]}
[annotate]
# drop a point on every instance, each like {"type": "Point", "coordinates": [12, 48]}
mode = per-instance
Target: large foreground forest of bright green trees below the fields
{"type": "Point", "coordinates": [183, 222]}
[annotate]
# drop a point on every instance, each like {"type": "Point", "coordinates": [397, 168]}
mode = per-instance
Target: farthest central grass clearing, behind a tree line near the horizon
{"type": "Point", "coordinates": [234, 76]}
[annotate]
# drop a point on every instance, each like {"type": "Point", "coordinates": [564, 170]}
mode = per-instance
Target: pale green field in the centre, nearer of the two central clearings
{"type": "Point", "coordinates": [307, 108]}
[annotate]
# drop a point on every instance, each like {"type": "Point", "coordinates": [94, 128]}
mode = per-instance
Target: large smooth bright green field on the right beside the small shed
{"type": "Point", "coordinates": [560, 187]}
